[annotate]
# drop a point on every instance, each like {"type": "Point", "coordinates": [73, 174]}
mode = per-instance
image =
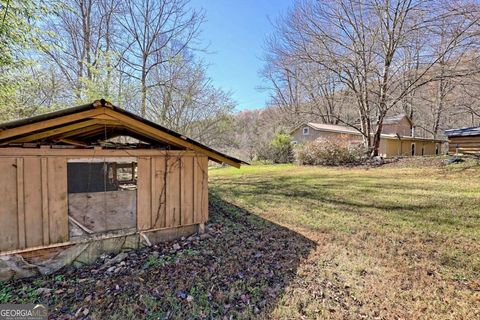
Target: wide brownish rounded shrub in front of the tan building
{"type": "Point", "coordinates": [330, 153]}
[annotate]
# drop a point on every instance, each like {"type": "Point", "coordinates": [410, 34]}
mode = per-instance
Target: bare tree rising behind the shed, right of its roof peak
{"type": "Point", "coordinates": [157, 31]}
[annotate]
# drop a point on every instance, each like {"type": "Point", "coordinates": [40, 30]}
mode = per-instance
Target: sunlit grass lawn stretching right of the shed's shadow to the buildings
{"type": "Point", "coordinates": [395, 242]}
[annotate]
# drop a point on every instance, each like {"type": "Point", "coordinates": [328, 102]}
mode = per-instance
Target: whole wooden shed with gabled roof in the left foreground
{"type": "Point", "coordinates": [95, 178]}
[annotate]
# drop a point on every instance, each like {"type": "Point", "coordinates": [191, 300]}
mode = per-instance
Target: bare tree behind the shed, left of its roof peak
{"type": "Point", "coordinates": [78, 40]}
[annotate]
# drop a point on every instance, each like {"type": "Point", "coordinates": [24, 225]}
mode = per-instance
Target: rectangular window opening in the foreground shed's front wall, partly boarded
{"type": "Point", "coordinates": [102, 195]}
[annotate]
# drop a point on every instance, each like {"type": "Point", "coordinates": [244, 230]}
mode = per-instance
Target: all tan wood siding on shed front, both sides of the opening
{"type": "Point", "coordinates": [172, 192]}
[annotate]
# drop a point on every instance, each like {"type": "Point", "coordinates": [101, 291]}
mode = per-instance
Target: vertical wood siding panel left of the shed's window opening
{"type": "Point", "coordinates": [34, 202]}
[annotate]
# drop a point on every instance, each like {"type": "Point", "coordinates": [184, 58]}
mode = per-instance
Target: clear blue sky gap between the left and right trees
{"type": "Point", "coordinates": [235, 31]}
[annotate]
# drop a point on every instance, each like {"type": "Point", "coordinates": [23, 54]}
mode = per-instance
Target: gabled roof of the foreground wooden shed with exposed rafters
{"type": "Point", "coordinates": [85, 125]}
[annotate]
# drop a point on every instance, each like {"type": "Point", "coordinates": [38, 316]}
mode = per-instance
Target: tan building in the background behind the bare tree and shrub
{"type": "Point", "coordinates": [397, 138]}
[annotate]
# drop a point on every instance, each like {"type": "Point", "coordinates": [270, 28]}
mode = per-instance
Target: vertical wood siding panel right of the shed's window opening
{"type": "Point", "coordinates": [172, 191]}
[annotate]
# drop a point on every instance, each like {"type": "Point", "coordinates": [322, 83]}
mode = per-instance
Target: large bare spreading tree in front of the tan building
{"type": "Point", "coordinates": [364, 43]}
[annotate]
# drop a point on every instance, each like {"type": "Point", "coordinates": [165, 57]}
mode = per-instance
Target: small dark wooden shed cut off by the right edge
{"type": "Point", "coordinates": [463, 140]}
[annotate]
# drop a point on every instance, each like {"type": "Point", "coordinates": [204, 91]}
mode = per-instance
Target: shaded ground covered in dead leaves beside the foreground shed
{"type": "Point", "coordinates": [238, 269]}
